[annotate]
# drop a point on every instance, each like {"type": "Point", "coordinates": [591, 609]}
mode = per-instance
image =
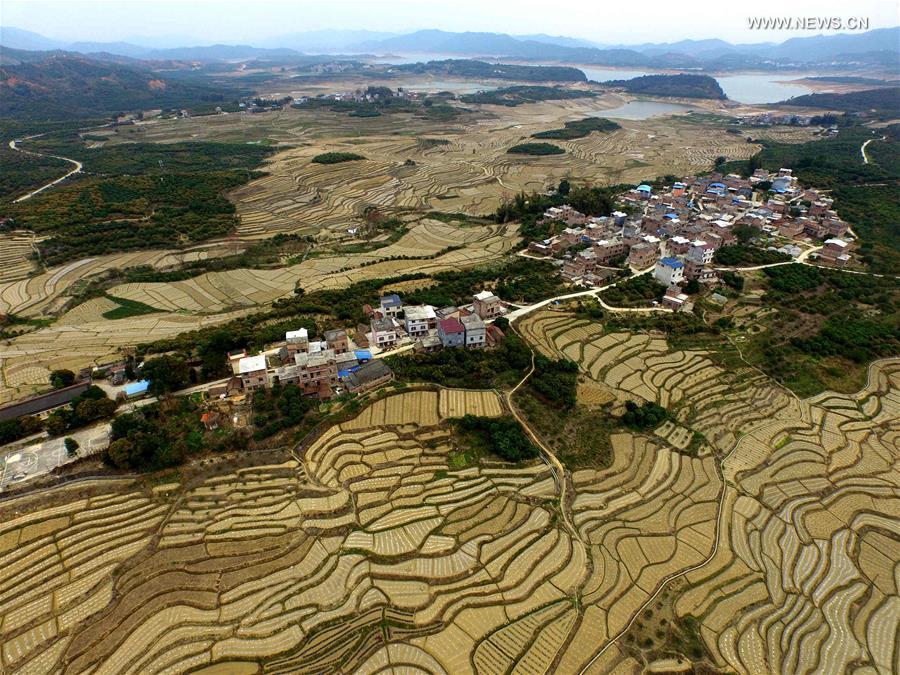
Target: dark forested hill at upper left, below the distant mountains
{"type": "Point", "coordinates": [71, 86]}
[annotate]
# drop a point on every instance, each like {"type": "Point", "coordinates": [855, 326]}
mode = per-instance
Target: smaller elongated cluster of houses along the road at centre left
{"type": "Point", "coordinates": [339, 362]}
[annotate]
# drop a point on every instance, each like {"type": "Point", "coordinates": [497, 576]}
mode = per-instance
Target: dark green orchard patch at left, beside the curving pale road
{"type": "Point", "coordinates": [134, 199]}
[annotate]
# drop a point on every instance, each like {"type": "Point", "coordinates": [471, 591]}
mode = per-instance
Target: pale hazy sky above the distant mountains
{"type": "Point", "coordinates": [603, 21]}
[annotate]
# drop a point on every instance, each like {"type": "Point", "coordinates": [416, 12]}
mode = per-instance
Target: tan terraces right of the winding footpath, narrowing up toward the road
{"type": "Point", "coordinates": [806, 575]}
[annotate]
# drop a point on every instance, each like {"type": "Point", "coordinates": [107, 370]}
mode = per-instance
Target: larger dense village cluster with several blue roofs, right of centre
{"type": "Point", "coordinates": [688, 221]}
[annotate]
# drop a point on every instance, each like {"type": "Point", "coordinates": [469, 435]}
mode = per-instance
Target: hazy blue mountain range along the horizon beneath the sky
{"type": "Point", "coordinates": [878, 46]}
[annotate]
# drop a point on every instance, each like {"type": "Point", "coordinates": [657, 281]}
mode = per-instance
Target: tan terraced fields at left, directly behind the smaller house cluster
{"type": "Point", "coordinates": [82, 336]}
